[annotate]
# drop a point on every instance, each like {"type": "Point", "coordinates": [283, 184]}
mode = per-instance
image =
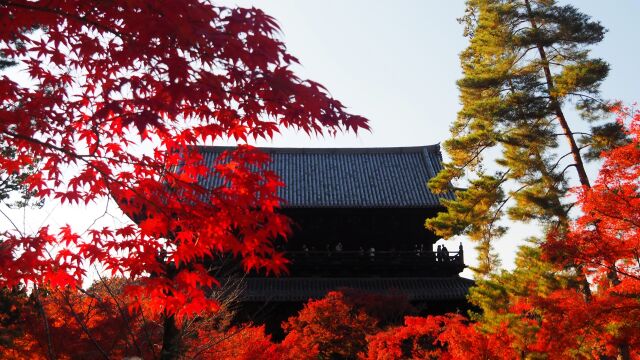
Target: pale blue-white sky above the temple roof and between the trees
{"type": "Point", "coordinates": [396, 63]}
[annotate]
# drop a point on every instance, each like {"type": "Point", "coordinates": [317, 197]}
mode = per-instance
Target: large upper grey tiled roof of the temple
{"type": "Point", "coordinates": [351, 177]}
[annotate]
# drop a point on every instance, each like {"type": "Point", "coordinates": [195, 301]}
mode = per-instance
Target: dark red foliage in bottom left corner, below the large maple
{"type": "Point", "coordinates": [72, 324]}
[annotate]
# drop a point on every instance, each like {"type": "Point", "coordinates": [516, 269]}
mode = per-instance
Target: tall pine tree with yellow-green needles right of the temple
{"type": "Point", "coordinates": [527, 61]}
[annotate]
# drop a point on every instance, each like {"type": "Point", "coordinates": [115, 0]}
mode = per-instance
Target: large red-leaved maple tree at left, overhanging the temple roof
{"type": "Point", "coordinates": [118, 93]}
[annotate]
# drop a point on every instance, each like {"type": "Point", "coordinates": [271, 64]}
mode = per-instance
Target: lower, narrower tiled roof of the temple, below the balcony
{"type": "Point", "coordinates": [302, 289]}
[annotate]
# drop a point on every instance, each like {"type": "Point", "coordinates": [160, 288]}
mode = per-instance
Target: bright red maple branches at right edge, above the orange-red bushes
{"type": "Point", "coordinates": [607, 235]}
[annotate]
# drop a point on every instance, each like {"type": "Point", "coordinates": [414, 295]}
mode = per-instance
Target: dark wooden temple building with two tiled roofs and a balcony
{"type": "Point", "coordinates": [358, 223]}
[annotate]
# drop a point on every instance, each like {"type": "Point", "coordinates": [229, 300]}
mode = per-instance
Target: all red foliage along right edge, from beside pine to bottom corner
{"type": "Point", "coordinates": [605, 242]}
